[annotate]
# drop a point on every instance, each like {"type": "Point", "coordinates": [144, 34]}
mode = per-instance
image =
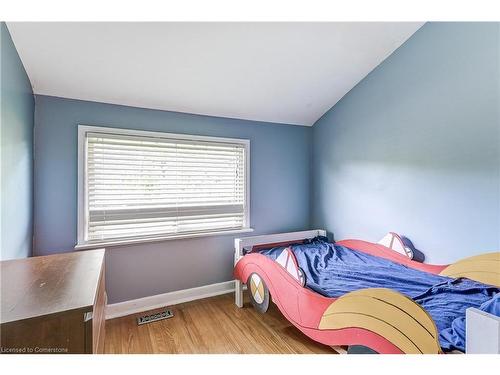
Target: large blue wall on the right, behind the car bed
{"type": "Point", "coordinates": [415, 146]}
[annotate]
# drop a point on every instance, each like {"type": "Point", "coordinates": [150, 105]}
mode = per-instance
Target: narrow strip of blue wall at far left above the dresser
{"type": "Point", "coordinates": [16, 133]}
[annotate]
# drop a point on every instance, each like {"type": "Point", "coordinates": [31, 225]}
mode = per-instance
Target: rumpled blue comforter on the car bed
{"type": "Point", "coordinates": [334, 270]}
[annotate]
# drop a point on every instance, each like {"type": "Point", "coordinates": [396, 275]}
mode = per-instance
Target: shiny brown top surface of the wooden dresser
{"type": "Point", "coordinates": [46, 285]}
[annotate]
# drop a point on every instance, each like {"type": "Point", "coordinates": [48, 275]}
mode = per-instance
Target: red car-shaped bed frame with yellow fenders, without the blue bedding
{"type": "Point", "coordinates": [381, 319]}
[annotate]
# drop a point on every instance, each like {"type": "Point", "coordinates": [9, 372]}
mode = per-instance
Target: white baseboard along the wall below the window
{"type": "Point", "coordinates": [119, 309]}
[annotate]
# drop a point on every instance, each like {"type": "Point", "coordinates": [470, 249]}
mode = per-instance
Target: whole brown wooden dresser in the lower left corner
{"type": "Point", "coordinates": [53, 304]}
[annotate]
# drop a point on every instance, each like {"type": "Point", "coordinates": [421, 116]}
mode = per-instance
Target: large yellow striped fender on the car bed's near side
{"type": "Point", "coordinates": [388, 313]}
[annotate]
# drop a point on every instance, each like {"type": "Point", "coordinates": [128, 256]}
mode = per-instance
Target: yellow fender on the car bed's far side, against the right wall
{"type": "Point", "coordinates": [484, 268]}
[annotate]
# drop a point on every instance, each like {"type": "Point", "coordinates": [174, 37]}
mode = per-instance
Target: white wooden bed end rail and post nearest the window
{"type": "Point", "coordinates": [241, 243]}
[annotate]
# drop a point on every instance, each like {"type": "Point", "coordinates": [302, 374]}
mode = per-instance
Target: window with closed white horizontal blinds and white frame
{"type": "Point", "coordinates": [136, 185]}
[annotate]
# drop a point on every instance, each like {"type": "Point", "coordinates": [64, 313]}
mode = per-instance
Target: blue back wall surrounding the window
{"type": "Point", "coordinates": [280, 160]}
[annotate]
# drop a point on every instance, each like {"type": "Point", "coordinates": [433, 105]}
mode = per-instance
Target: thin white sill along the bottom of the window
{"type": "Point", "coordinates": [96, 245]}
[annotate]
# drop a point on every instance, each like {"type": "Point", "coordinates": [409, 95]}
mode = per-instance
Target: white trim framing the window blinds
{"type": "Point", "coordinates": [81, 188]}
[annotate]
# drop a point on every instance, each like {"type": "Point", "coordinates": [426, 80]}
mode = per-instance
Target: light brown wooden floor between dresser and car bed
{"type": "Point", "coordinates": [212, 325]}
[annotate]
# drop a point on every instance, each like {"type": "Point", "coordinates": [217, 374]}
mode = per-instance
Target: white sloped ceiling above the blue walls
{"type": "Point", "coordinates": [278, 72]}
